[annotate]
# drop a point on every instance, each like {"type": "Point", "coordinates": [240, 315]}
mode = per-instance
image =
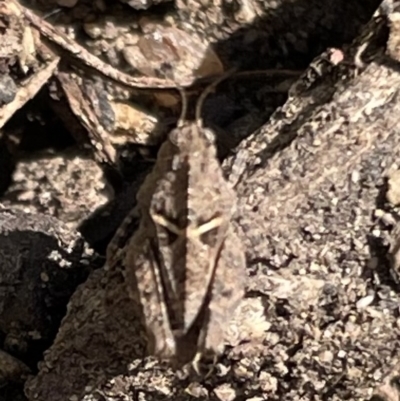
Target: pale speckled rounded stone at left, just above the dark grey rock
{"type": "Point", "coordinates": [68, 185]}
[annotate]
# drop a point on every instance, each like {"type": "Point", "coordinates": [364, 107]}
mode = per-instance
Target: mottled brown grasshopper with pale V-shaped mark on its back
{"type": "Point", "coordinates": [185, 264]}
